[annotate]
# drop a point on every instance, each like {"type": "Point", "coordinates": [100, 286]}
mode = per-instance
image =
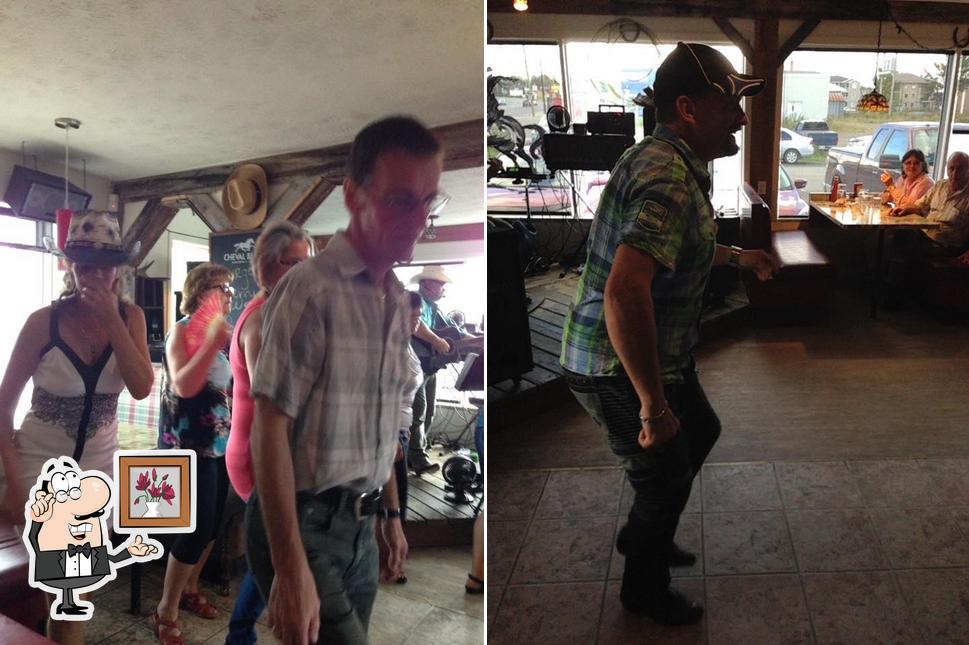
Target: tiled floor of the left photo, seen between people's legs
{"type": "Point", "coordinates": [431, 607]}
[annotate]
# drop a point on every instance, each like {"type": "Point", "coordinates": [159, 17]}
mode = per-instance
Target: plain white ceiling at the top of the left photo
{"type": "Point", "coordinates": [169, 86]}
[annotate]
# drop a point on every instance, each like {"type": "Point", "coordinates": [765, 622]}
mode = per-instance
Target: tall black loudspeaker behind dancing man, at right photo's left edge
{"type": "Point", "coordinates": [509, 337]}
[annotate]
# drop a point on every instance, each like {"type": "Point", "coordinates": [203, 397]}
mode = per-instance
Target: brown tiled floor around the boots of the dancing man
{"type": "Point", "coordinates": [794, 552]}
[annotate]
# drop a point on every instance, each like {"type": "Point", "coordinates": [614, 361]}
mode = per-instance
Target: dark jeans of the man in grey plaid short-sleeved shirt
{"type": "Point", "coordinates": [343, 558]}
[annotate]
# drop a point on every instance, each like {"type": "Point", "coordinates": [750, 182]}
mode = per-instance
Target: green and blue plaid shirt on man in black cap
{"type": "Point", "coordinates": [657, 201]}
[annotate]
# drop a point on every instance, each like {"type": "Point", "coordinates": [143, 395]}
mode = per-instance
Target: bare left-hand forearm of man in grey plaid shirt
{"type": "Point", "coordinates": [275, 482]}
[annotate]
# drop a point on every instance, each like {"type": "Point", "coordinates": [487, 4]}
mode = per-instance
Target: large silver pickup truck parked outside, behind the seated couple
{"type": "Point", "coordinates": [885, 151]}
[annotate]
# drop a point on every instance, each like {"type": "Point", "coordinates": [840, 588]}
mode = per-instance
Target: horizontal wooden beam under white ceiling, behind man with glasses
{"type": "Point", "coordinates": [463, 144]}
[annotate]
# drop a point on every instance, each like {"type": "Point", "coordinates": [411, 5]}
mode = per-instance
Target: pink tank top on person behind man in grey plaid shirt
{"type": "Point", "coordinates": [238, 454]}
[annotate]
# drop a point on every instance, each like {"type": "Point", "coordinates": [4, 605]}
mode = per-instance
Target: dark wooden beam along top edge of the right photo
{"type": "Point", "coordinates": [902, 10]}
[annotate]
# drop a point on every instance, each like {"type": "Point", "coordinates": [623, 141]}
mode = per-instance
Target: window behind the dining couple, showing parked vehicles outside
{"type": "Point", "coordinates": [820, 94]}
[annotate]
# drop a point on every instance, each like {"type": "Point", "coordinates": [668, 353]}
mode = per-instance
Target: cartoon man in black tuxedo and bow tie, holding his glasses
{"type": "Point", "coordinates": [65, 536]}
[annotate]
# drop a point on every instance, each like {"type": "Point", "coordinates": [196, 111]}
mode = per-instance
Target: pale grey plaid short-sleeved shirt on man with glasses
{"type": "Point", "coordinates": [334, 358]}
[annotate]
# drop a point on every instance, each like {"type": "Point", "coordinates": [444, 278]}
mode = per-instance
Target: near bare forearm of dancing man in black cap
{"type": "Point", "coordinates": [631, 324]}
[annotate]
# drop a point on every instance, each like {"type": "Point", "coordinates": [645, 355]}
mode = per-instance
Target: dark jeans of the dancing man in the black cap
{"type": "Point", "coordinates": [661, 476]}
